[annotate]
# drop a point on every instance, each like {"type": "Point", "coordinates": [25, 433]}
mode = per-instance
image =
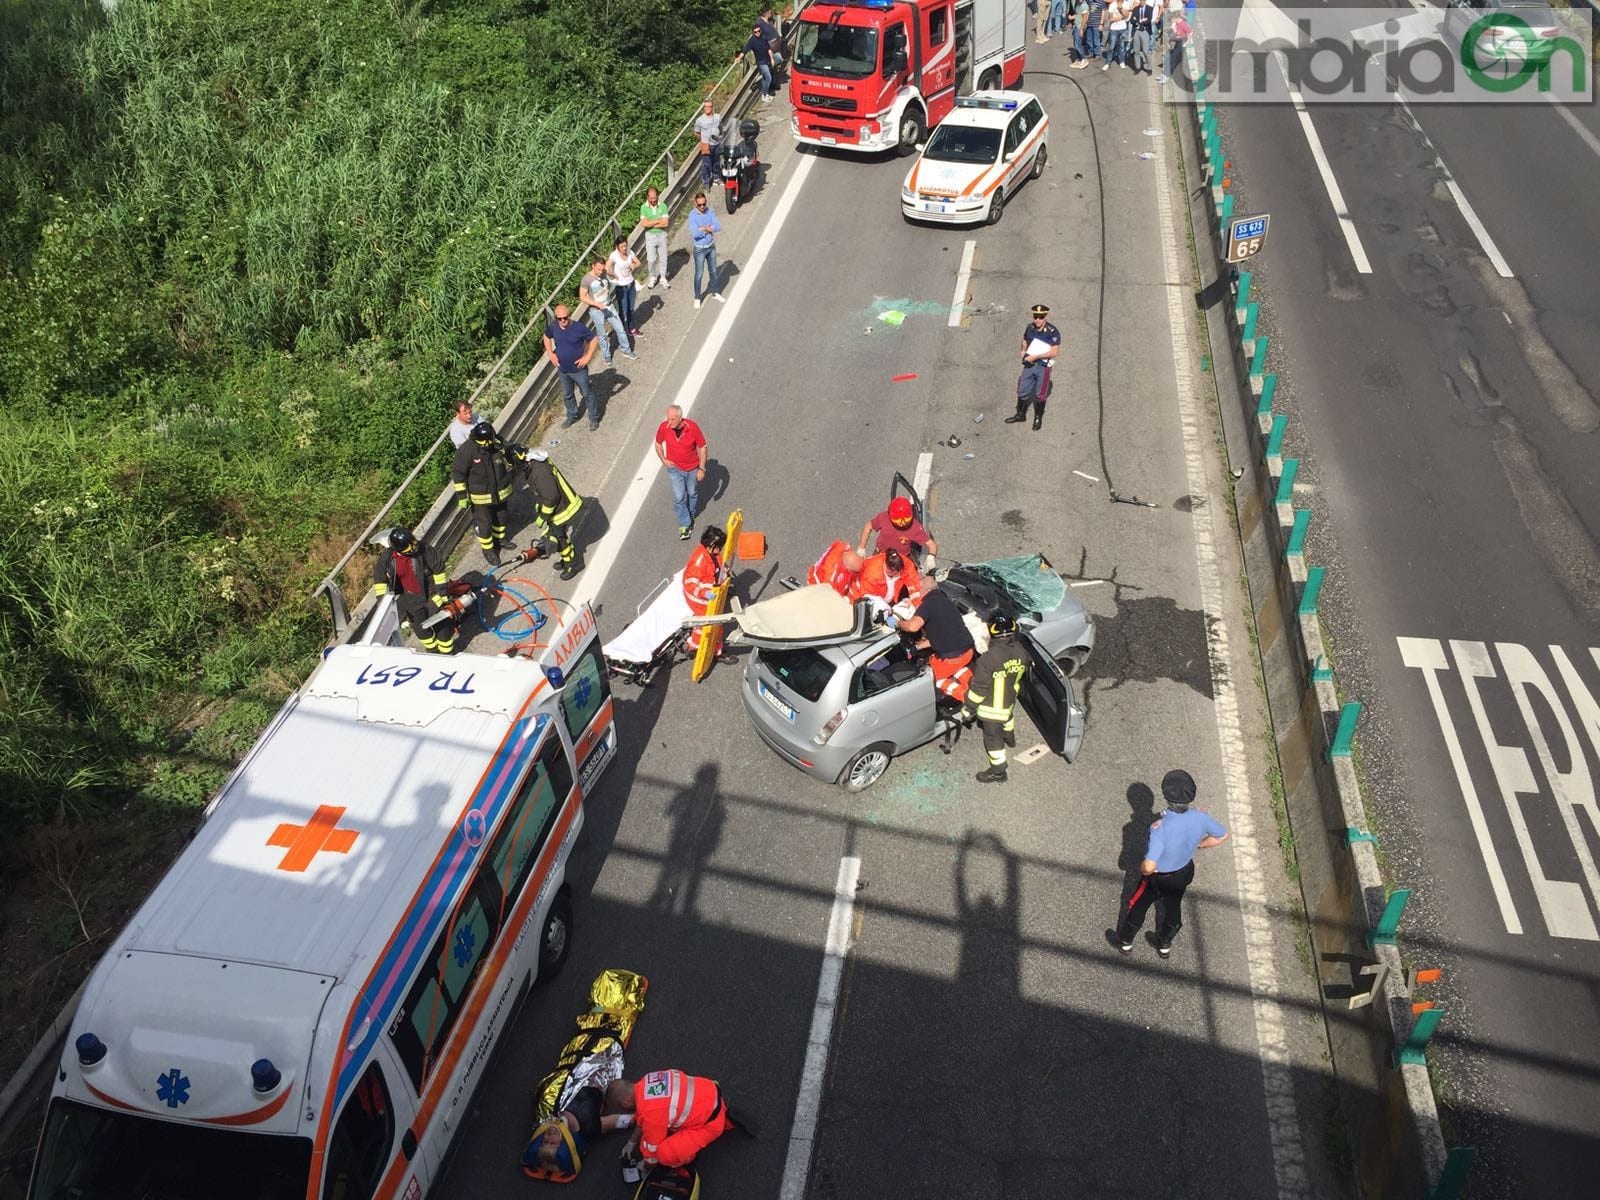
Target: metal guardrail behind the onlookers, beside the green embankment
{"type": "Point", "coordinates": [444, 526]}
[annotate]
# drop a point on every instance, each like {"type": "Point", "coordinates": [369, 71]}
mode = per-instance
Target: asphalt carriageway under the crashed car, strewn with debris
{"type": "Point", "coordinates": [988, 1042]}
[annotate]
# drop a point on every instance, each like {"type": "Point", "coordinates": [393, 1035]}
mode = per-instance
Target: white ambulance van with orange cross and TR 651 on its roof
{"type": "Point", "coordinates": [306, 1002]}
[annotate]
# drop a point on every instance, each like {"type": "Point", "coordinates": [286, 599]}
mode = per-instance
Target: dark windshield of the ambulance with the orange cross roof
{"type": "Point", "coordinates": [119, 1156]}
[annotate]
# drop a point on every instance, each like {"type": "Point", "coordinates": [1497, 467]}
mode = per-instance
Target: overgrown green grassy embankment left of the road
{"type": "Point", "coordinates": [250, 255]}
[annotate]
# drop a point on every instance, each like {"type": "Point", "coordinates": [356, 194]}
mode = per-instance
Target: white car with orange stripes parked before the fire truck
{"type": "Point", "coordinates": [977, 159]}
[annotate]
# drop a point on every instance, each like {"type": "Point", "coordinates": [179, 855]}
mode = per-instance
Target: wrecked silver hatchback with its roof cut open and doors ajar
{"type": "Point", "coordinates": [842, 706]}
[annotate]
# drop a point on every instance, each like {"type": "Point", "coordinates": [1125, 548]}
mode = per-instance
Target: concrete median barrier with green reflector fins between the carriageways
{"type": "Point", "coordinates": [1377, 1026]}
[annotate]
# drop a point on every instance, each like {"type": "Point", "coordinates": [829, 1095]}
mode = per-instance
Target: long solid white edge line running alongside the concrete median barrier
{"type": "Point", "coordinates": [1250, 863]}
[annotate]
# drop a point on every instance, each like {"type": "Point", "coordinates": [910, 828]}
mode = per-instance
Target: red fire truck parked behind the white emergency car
{"type": "Point", "coordinates": [879, 74]}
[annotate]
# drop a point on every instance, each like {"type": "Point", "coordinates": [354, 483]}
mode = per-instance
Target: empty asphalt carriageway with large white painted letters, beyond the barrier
{"type": "Point", "coordinates": [1447, 423]}
